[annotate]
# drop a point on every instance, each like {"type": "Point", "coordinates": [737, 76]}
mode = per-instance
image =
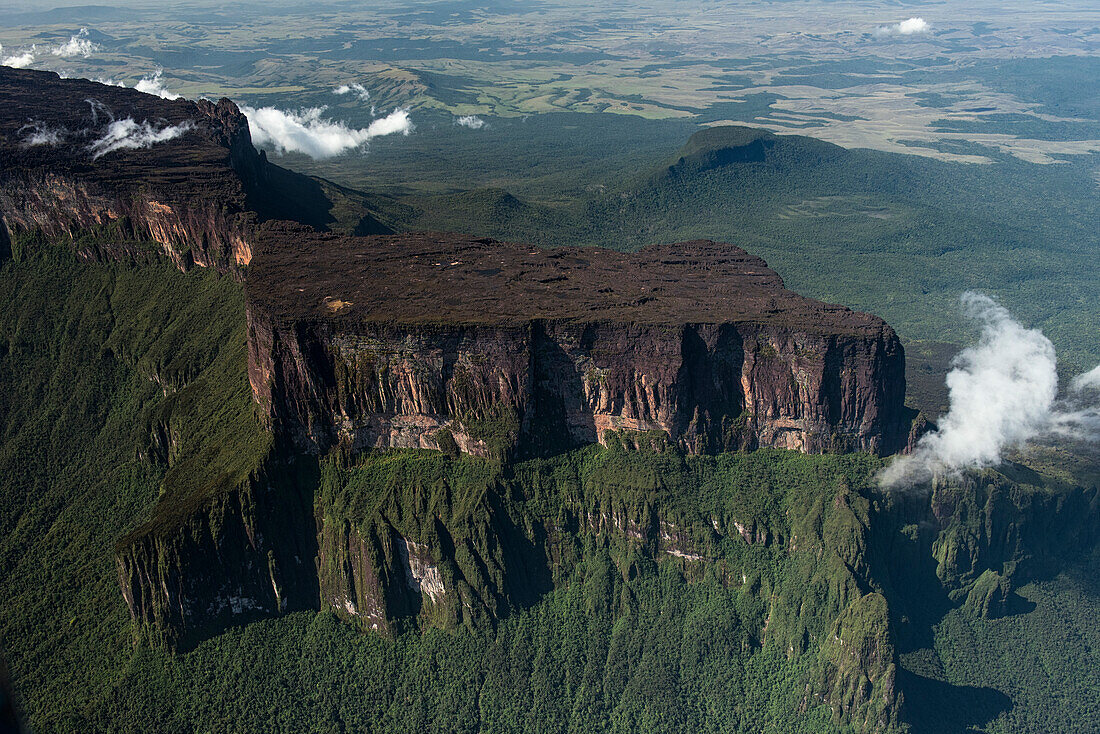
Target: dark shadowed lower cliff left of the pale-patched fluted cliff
{"type": "Point", "coordinates": [243, 554]}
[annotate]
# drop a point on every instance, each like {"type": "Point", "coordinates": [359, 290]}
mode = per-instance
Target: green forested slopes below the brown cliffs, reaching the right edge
{"type": "Point", "coordinates": [125, 382]}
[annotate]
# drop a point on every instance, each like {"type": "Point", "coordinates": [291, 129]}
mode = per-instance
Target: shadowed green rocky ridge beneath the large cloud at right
{"type": "Point", "coordinates": [974, 540]}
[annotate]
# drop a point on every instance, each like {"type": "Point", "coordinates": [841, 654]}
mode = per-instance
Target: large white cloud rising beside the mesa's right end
{"type": "Point", "coordinates": [1004, 393]}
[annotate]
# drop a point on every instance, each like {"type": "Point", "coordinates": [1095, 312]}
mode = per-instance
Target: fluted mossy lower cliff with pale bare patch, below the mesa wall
{"type": "Point", "coordinates": [411, 565]}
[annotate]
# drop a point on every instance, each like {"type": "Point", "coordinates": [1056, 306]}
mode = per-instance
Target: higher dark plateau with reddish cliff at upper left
{"type": "Point", "coordinates": [186, 195]}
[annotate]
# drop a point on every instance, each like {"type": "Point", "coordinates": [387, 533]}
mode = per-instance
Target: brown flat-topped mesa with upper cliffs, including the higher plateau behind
{"type": "Point", "coordinates": [442, 341]}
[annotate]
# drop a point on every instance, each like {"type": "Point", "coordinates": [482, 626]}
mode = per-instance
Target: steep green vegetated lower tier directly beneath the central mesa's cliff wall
{"type": "Point", "coordinates": [776, 535]}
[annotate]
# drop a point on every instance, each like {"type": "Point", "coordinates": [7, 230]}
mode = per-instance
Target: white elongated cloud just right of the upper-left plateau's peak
{"type": "Point", "coordinates": [306, 132]}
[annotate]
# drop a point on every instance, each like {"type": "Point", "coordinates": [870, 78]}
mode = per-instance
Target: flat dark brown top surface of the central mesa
{"type": "Point", "coordinates": [444, 278]}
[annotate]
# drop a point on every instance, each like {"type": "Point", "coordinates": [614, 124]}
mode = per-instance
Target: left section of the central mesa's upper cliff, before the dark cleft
{"type": "Point", "coordinates": [388, 387]}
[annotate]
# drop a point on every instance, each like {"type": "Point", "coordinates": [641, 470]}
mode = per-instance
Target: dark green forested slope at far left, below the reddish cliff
{"type": "Point", "coordinates": [114, 377]}
